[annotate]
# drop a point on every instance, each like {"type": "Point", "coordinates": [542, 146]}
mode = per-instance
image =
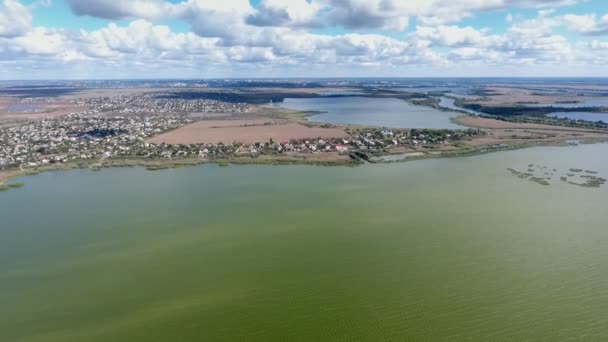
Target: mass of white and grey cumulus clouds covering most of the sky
{"type": "Point", "coordinates": [279, 35]}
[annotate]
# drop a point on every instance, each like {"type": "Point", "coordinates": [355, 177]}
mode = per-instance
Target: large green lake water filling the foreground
{"type": "Point", "coordinates": [433, 250]}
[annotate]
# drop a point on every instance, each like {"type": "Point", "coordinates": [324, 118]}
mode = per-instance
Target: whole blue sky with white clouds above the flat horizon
{"type": "Point", "coordinates": [119, 39]}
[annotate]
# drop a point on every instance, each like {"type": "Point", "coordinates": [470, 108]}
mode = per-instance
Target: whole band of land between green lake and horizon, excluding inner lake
{"type": "Point", "coordinates": [84, 124]}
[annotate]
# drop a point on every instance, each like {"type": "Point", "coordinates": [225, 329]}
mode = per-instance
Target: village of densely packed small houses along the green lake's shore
{"type": "Point", "coordinates": [93, 135]}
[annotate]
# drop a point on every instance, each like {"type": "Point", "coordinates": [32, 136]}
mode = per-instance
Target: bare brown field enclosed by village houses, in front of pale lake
{"type": "Point", "coordinates": [244, 131]}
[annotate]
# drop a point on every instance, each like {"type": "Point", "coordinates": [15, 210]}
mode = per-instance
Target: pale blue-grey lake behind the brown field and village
{"type": "Point", "coordinates": [382, 112]}
